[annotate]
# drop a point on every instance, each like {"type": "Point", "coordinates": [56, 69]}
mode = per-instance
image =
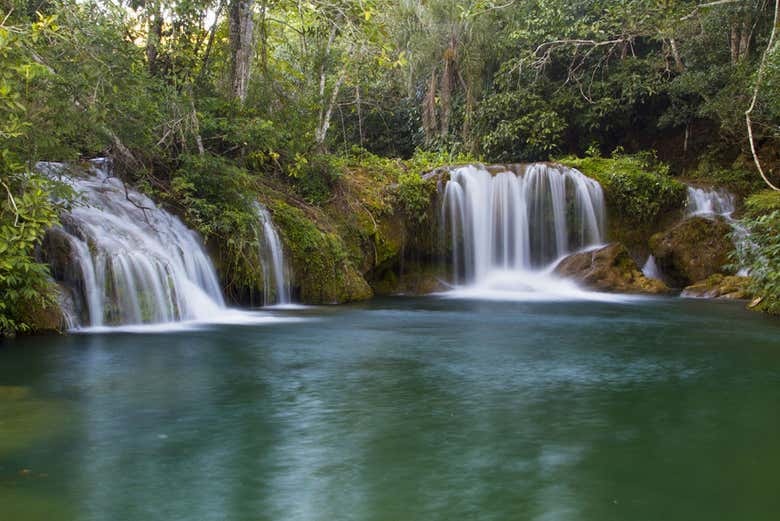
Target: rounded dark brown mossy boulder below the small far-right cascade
{"type": "Point", "coordinates": [692, 250]}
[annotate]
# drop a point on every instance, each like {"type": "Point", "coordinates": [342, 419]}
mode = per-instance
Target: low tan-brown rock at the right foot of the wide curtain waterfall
{"type": "Point", "coordinates": [610, 269]}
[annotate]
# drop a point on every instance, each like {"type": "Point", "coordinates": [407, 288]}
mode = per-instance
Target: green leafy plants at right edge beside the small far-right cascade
{"type": "Point", "coordinates": [761, 254]}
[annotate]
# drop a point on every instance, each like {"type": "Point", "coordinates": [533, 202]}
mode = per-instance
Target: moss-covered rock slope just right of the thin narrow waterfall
{"type": "Point", "coordinates": [321, 263]}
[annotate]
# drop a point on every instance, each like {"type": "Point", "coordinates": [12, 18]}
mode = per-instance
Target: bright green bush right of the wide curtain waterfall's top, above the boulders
{"type": "Point", "coordinates": [638, 189]}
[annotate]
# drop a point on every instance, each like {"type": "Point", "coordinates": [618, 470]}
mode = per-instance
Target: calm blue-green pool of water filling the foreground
{"type": "Point", "coordinates": [403, 409]}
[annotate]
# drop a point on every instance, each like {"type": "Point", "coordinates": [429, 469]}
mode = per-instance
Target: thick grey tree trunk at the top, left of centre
{"type": "Point", "coordinates": [241, 47]}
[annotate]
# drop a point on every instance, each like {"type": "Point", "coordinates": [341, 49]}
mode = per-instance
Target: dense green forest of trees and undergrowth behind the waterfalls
{"type": "Point", "coordinates": [336, 107]}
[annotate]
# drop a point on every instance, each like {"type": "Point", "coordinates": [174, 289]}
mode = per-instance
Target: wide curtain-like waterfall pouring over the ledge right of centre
{"type": "Point", "coordinates": [519, 221]}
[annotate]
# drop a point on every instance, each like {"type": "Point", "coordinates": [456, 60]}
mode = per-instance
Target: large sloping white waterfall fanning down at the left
{"type": "Point", "coordinates": [130, 262]}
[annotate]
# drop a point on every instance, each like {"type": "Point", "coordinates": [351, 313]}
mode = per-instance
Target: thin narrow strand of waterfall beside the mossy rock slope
{"type": "Point", "coordinates": [276, 286]}
